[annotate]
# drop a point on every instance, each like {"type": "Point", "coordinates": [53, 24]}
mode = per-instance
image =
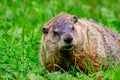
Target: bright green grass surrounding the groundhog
{"type": "Point", "coordinates": [21, 22]}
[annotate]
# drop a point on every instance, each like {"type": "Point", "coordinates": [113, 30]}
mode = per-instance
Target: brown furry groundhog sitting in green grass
{"type": "Point", "coordinates": [68, 41]}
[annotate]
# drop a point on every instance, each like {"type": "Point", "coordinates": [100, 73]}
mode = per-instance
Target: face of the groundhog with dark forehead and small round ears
{"type": "Point", "coordinates": [62, 33]}
